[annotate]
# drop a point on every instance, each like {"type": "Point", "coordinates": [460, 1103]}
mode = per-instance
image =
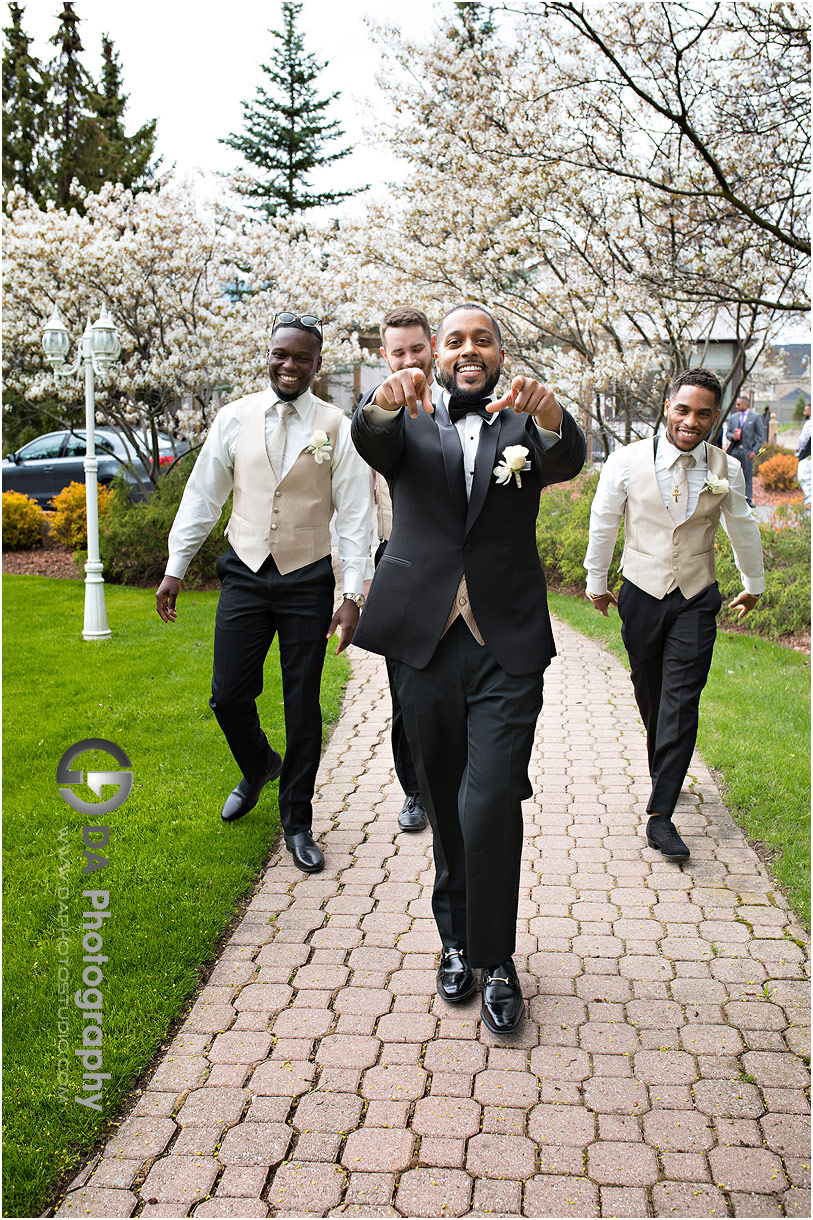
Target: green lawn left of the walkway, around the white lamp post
{"type": "Point", "coordinates": [176, 873]}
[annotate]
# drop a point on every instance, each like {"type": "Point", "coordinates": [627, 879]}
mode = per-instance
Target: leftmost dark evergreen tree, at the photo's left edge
{"type": "Point", "coordinates": [25, 114]}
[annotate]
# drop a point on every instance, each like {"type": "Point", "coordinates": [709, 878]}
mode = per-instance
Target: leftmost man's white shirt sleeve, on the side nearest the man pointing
{"type": "Point", "coordinates": [355, 511]}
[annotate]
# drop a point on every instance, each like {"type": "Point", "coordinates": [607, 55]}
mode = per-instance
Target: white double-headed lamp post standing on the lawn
{"type": "Point", "coordinates": [101, 350]}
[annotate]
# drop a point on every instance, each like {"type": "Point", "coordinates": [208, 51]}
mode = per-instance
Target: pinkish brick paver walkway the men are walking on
{"type": "Point", "coordinates": [661, 1071]}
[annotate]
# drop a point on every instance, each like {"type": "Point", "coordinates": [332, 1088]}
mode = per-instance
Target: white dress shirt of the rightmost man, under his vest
{"type": "Point", "coordinates": [611, 500]}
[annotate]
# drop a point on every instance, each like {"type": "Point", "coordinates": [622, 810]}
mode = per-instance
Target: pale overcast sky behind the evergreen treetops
{"type": "Point", "coordinates": [192, 64]}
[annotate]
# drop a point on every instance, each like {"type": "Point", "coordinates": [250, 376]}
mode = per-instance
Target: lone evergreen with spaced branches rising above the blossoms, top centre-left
{"type": "Point", "coordinates": [285, 129]}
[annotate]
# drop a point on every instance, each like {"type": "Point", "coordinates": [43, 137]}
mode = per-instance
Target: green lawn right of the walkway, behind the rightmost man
{"type": "Point", "coordinates": [755, 730]}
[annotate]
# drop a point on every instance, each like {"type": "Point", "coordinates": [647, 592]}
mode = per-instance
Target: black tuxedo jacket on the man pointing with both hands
{"type": "Point", "coordinates": [438, 536]}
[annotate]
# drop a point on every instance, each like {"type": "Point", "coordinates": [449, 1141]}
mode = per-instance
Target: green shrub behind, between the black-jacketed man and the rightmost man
{"type": "Point", "coordinates": [562, 530]}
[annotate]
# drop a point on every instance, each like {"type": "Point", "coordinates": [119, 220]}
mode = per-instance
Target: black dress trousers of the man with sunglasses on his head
{"type": "Point", "coordinates": [252, 609]}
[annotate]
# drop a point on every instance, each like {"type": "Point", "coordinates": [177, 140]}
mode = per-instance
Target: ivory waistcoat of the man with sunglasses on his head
{"type": "Point", "coordinates": [289, 520]}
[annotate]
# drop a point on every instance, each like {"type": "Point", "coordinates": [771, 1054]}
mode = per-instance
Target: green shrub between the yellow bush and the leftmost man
{"type": "Point", "coordinates": [135, 535]}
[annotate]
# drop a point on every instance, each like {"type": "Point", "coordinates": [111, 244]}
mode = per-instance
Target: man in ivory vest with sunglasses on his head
{"type": "Point", "coordinates": [290, 461]}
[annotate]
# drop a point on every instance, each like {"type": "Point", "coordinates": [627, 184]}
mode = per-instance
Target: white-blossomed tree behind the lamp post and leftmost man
{"type": "Point", "coordinates": [192, 291]}
